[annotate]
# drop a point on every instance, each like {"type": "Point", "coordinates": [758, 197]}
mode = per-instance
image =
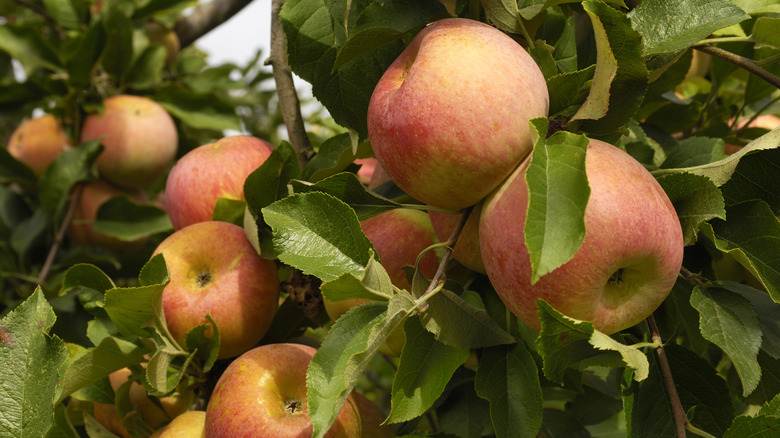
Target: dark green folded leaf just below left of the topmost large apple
{"type": "Point", "coordinates": [347, 187]}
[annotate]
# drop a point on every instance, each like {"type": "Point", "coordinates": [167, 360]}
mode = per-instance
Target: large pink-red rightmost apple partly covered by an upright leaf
{"type": "Point", "coordinates": [631, 226]}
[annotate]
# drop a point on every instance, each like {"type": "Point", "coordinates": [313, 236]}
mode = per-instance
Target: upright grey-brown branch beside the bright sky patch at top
{"type": "Point", "coordinates": [285, 89]}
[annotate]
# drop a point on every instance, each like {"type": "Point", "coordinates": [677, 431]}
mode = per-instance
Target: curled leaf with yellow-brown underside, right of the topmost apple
{"type": "Point", "coordinates": [621, 78]}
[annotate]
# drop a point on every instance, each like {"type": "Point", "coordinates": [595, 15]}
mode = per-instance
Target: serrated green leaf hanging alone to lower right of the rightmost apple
{"type": "Point", "coordinates": [730, 322]}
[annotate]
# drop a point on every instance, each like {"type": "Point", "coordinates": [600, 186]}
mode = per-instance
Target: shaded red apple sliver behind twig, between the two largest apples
{"type": "Point", "coordinates": [466, 250]}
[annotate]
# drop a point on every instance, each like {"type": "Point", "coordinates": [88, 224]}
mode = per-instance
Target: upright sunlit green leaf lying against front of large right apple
{"type": "Point", "coordinates": [558, 193]}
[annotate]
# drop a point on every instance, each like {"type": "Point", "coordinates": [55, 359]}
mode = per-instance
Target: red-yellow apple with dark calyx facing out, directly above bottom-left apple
{"type": "Point", "coordinates": [215, 270]}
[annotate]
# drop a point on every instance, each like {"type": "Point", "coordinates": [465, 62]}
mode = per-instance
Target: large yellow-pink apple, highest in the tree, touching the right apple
{"type": "Point", "coordinates": [448, 120]}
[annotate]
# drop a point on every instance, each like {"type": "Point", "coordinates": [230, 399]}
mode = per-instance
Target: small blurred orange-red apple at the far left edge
{"type": "Point", "coordinates": [36, 142]}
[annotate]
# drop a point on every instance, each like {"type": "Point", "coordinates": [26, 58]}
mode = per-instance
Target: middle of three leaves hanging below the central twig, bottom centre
{"type": "Point", "coordinates": [425, 368]}
